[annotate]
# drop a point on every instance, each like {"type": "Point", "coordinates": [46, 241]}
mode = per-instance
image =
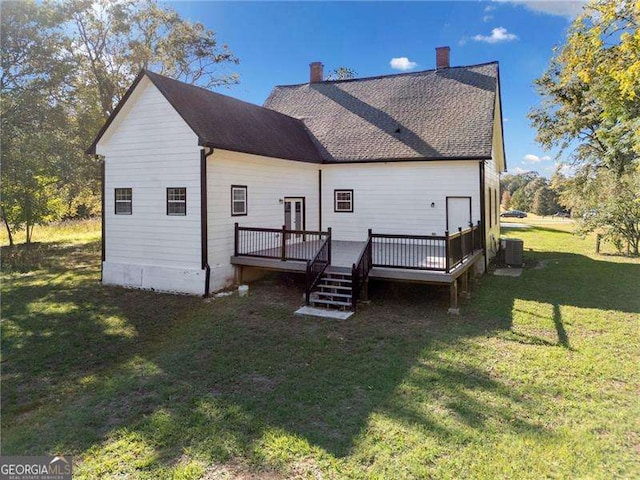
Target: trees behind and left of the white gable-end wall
{"type": "Point", "coordinates": [64, 67]}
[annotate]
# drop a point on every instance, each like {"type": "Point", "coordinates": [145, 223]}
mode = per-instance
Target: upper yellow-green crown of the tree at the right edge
{"type": "Point", "coordinates": [591, 90]}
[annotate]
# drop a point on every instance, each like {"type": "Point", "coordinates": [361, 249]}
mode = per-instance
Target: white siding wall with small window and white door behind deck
{"type": "Point", "coordinates": [396, 197]}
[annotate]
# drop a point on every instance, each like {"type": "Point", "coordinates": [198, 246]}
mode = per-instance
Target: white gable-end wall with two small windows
{"type": "Point", "coordinates": [149, 148]}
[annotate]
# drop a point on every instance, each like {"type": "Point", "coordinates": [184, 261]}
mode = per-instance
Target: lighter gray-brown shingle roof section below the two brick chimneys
{"type": "Point", "coordinates": [434, 114]}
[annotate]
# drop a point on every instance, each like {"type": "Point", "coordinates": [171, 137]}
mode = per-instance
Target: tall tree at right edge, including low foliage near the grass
{"type": "Point", "coordinates": [591, 101]}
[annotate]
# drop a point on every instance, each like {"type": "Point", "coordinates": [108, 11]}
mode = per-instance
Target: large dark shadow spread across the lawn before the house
{"type": "Point", "coordinates": [86, 365]}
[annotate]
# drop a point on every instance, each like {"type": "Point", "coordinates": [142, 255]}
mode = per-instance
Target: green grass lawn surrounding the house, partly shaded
{"type": "Point", "coordinates": [538, 376]}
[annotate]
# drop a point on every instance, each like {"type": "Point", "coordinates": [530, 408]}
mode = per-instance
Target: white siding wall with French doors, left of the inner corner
{"type": "Point", "coordinates": [268, 180]}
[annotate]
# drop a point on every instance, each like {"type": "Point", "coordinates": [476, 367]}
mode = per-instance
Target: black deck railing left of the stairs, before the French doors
{"type": "Point", "coordinates": [277, 243]}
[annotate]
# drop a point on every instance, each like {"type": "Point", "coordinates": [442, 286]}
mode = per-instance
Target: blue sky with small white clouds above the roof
{"type": "Point", "coordinates": [275, 43]}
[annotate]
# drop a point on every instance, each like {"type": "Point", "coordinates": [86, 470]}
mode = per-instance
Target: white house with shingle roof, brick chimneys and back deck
{"type": "Point", "coordinates": [393, 177]}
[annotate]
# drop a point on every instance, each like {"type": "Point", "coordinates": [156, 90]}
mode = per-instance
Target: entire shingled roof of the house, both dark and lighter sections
{"type": "Point", "coordinates": [449, 113]}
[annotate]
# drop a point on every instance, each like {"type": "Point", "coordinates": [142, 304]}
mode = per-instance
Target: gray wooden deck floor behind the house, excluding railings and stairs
{"type": "Point", "coordinates": [344, 254]}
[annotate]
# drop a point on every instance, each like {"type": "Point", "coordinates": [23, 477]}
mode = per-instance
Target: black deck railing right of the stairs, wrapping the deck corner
{"type": "Point", "coordinates": [425, 252]}
